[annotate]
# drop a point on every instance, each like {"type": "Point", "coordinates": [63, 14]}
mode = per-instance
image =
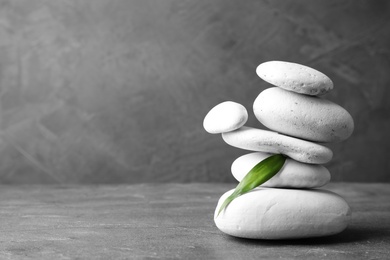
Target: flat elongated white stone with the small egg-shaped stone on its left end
{"type": "Point", "coordinates": [254, 139]}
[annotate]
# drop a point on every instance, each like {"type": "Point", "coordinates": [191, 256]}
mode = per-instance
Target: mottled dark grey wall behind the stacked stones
{"type": "Point", "coordinates": [116, 91]}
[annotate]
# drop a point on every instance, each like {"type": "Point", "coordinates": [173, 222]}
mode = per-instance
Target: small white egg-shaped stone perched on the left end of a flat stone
{"type": "Point", "coordinates": [225, 117]}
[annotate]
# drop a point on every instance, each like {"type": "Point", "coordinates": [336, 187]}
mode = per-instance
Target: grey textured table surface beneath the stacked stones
{"type": "Point", "coordinates": [169, 221]}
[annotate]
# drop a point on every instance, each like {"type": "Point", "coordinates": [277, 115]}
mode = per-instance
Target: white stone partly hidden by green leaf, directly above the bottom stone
{"type": "Point", "coordinates": [292, 175]}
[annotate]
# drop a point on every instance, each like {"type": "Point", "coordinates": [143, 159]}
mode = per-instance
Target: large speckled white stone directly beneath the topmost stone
{"type": "Point", "coordinates": [302, 116]}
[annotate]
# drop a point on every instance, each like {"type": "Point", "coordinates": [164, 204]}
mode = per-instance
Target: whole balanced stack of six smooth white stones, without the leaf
{"type": "Point", "coordinates": [286, 206]}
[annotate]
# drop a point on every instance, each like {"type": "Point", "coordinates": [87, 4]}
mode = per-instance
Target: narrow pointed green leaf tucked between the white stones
{"type": "Point", "coordinates": [260, 173]}
